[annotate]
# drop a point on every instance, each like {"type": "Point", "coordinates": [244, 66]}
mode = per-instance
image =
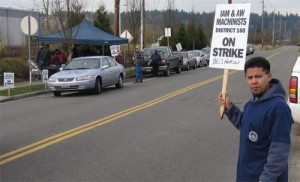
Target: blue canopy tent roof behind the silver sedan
{"type": "Point", "coordinates": [84, 33]}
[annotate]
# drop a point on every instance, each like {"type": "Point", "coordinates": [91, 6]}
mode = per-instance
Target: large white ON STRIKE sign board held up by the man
{"type": "Point", "coordinates": [230, 34]}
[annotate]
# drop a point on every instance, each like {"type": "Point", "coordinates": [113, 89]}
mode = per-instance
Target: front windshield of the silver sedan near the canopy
{"type": "Point", "coordinates": [91, 63]}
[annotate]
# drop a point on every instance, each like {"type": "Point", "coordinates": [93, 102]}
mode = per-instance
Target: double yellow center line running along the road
{"type": "Point", "coordinates": [21, 152]}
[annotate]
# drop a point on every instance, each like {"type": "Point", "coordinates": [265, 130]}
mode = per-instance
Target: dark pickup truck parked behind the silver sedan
{"type": "Point", "coordinates": [170, 61]}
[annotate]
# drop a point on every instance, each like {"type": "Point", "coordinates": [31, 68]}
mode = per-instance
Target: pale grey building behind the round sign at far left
{"type": "Point", "coordinates": [11, 33]}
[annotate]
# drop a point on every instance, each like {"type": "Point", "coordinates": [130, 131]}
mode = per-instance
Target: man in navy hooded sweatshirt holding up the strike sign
{"type": "Point", "coordinates": [264, 124]}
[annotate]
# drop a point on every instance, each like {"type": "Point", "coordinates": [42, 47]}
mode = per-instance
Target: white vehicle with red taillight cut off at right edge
{"type": "Point", "coordinates": [294, 92]}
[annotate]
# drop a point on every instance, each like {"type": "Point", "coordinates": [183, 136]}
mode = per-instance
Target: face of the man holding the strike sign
{"type": "Point", "coordinates": [258, 80]}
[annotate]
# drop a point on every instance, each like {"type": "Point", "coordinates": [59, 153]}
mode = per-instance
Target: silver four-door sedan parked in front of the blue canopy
{"type": "Point", "coordinates": [87, 73]}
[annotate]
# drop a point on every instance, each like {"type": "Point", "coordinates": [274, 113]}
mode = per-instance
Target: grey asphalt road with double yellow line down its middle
{"type": "Point", "coordinates": [164, 129]}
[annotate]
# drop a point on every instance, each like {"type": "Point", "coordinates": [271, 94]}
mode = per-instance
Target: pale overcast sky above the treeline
{"type": "Point", "coordinates": [283, 6]}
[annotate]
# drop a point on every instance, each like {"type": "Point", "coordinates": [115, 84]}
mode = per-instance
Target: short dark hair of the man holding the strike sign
{"type": "Point", "coordinates": [258, 62]}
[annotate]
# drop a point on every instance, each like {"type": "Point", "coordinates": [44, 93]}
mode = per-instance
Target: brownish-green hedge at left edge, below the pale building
{"type": "Point", "coordinates": [15, 65]}
